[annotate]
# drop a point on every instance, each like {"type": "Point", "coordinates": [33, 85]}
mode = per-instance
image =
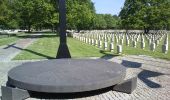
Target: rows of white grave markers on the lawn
{"type": "Point", "coordinates": [105, 40]}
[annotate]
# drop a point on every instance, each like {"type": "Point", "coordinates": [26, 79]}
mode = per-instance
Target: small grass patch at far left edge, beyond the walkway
{"type": "Point", "coordinates": [7, 40]}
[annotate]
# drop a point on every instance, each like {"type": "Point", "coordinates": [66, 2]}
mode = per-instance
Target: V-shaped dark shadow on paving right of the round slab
{"type": "Point", "coordinates": [145, 74]}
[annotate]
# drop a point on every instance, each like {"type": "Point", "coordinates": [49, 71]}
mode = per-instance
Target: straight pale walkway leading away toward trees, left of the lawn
{"type": "Point", "coordinates": [8, 52]}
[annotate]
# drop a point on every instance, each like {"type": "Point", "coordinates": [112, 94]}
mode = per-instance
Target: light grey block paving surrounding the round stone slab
{"type": "Point", "coordinates": [153, 78]}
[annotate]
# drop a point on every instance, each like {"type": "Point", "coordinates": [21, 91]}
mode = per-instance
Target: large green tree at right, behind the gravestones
{"type": "Point", "coordinates": [145, 14]}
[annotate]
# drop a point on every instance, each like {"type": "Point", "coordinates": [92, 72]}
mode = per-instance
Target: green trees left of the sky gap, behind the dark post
{"type": "Point", "coordinates": [40, 14]}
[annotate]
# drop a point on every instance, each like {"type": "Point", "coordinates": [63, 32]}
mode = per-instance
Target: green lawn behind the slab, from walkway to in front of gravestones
{"type": "Point", "coordinates": [46, 47]}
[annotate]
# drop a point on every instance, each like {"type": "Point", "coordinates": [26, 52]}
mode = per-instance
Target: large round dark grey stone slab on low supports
{"type": "Point", "coordinates": [66, 75]}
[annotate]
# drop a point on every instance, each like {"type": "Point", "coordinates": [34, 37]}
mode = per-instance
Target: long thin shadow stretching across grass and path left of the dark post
{"type": "Point", "coordinates": [33, 52]}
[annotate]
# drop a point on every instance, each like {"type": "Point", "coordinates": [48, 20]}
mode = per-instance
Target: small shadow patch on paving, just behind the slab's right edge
{"type": "Point", "coordinates": [131, 64]}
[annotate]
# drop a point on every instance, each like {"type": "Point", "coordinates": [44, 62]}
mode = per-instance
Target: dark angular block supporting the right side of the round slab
{"type": "Point", "coordinates": [127, 86]}
